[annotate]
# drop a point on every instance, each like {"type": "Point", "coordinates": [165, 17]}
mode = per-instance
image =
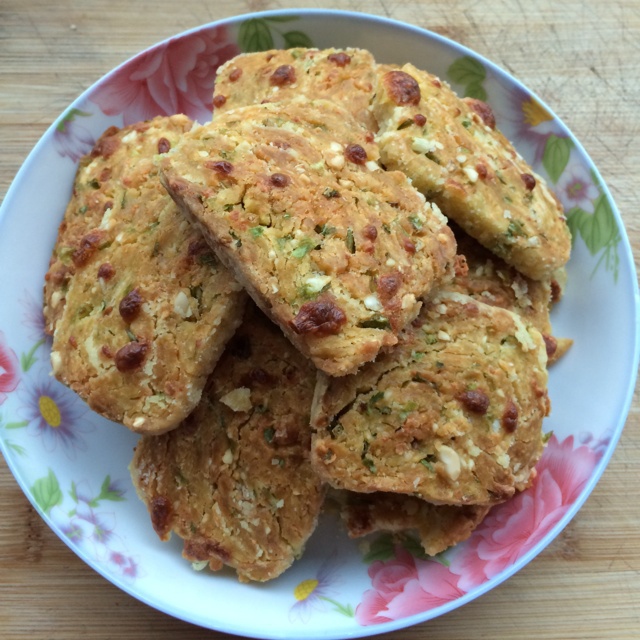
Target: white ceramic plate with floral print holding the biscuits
{"type": "Point", "coordinates": [72, 464]}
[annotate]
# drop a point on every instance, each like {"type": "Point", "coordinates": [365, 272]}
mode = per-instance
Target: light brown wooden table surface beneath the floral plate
{"type": "Point", "coordinates": [583, 58]}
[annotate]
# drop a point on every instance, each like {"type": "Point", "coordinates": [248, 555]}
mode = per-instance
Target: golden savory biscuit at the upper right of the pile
{"type": "Point", "coordinates": [453, 153]}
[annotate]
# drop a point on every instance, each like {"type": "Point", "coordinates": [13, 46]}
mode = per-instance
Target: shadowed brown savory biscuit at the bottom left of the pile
{"type": "Point", "coordinates": [234, 480]}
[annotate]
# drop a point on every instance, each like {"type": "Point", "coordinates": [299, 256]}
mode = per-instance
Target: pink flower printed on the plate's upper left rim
{"type": "Point", "coordinates": [174, 77]}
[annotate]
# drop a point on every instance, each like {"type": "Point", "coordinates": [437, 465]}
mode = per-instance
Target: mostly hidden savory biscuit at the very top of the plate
{"type": "Point", "coordinates": [345, 76]}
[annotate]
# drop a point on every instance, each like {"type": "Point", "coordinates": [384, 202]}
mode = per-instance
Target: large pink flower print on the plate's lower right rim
{"type": "Point", "coordinates": [405, 585]}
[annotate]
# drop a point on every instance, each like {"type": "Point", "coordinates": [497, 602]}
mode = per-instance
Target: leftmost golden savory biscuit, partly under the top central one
{"type": "Point", "coordinates": [137, 303]}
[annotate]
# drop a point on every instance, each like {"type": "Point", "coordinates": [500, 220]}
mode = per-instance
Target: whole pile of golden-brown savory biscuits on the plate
{"type": "Point", "coordinates": [336, 292]}
